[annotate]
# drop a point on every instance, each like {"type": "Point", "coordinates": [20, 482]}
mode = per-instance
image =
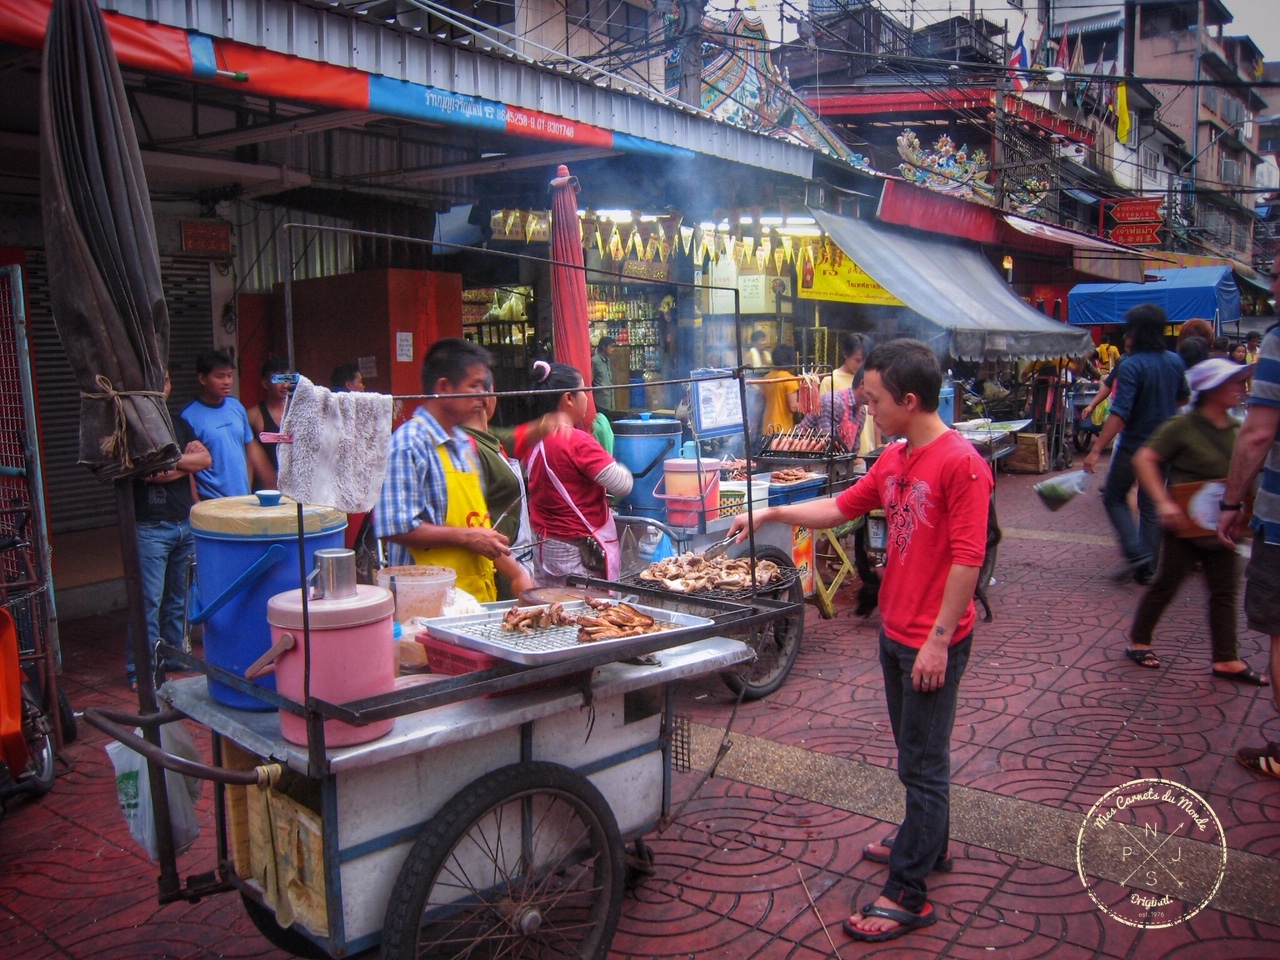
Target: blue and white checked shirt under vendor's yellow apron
{"type": "Point", "coordinates": [414, 491]}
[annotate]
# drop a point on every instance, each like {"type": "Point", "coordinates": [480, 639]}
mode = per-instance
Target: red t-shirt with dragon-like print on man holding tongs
{"type": "Point", "coordinates": [936, 501]}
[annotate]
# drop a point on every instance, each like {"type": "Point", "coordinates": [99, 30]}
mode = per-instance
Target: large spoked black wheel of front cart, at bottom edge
{"type": "Point", "coordinates": [525, 862]}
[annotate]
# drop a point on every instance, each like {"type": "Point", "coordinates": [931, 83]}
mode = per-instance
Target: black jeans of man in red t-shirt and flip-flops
{"type": "Point", "coordinates": [922, 725]}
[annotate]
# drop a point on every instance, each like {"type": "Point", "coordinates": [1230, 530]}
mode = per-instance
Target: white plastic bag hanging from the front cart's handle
{"type": "Point", "coordinates": [134, 790]}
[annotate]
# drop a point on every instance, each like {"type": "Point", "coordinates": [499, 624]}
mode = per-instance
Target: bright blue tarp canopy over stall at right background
{"type": "Point", "coordinates": [1187, 292]}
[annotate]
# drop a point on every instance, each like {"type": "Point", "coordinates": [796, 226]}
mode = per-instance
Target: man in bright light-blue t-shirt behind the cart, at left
{"type": "Point", "coordinates": [221, 423]}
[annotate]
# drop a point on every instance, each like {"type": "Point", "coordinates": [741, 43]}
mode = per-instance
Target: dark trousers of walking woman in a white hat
{"type": "Point", "coordinates": [1178, 560]}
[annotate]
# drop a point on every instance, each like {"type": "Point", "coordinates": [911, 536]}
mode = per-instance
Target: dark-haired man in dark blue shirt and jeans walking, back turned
{"type": "Point", "coordinates": [1150, 386]}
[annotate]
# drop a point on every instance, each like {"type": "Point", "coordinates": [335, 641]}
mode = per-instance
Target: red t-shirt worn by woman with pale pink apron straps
{"type": "Point", "coordinates": [577, 459]}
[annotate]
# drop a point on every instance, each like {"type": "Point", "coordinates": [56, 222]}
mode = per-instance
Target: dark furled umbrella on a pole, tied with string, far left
{"type": "Point", "coordinates": [104, 281]}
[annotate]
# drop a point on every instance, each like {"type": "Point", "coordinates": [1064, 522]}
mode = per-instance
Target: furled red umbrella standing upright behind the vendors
{"type": "Point", "coordinates": [570, 316]}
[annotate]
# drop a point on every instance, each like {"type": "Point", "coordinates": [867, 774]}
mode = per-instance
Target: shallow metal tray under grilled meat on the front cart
{"type": "Point", "coordinates": [484, 633]}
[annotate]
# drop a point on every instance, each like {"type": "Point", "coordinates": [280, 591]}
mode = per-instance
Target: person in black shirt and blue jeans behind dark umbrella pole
{"type": "Point", "coordinates": [162, 504]}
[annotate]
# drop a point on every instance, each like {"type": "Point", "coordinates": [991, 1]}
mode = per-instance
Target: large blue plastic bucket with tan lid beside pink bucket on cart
{"type": "Point", "coordinates": [246, 554]}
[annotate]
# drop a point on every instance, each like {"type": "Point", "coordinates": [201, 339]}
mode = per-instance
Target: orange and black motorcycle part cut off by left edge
{"type": "Point", "coordinates": [28, 753]}
